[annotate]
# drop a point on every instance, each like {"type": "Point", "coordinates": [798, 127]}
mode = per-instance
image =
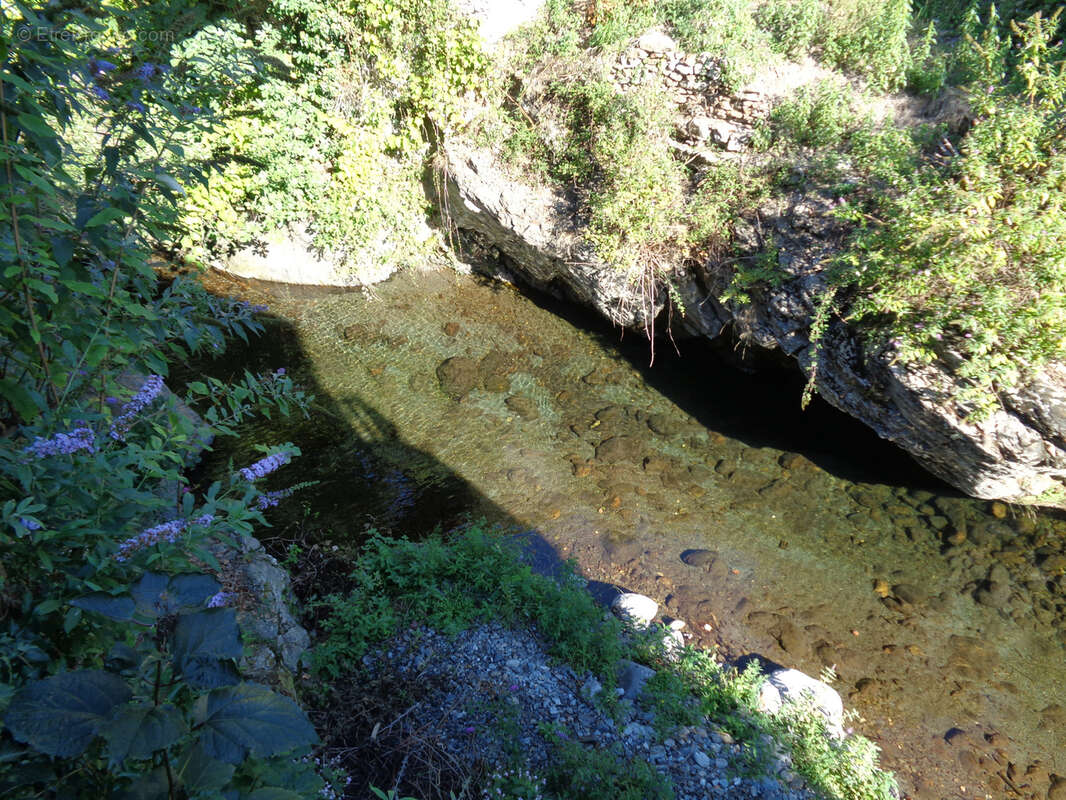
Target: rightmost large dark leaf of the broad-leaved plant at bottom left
{"type": "Point", "coordinates": [250, 718]}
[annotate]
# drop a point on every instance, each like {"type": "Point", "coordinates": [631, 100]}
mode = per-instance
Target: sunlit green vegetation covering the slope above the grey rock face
{"type": "Point", "coordinates": [938, 131]}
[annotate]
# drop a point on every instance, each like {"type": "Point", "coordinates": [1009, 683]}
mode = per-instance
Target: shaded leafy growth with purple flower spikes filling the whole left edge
{"type": "Point", "coordinates": [92, 486]}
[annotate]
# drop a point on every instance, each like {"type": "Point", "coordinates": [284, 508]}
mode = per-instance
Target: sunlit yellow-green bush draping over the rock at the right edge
{"type": "Point", "coordinates": [965, 263]}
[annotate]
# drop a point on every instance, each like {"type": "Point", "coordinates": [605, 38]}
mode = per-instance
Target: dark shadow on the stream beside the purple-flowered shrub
{"type": "Point", "coordinates": [350, 452]}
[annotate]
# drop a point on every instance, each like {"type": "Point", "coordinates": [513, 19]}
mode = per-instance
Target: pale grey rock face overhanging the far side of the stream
{"type": "Point", "coordinates": [1017, 455]}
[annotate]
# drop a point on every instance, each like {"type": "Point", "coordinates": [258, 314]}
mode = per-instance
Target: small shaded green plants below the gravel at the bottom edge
{"type": "Point", "coordinates": [602, 775]}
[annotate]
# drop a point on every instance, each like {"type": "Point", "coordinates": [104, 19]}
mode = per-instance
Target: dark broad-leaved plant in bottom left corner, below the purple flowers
{"type": "Point", "coordinates": [169, 712]}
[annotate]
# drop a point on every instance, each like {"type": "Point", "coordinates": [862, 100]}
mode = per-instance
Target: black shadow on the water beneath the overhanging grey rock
{"type": "Point", "coordinates": [757, 407]}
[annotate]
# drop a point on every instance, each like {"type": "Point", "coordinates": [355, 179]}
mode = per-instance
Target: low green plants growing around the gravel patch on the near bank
{"type": "Point", "coordinates": [473, 577]}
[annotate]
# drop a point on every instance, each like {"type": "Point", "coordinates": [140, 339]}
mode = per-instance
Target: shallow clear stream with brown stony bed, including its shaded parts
{"type": "Point", "coordinates": [944, 617]}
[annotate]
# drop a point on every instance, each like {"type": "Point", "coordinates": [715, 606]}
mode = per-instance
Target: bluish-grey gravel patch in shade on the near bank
{"type": "Point", "coordinates": [491, 668]}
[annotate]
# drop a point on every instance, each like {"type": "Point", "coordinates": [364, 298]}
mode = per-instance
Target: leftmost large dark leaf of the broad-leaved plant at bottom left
{"type": "Point", "coordinates": [61, 715]}
